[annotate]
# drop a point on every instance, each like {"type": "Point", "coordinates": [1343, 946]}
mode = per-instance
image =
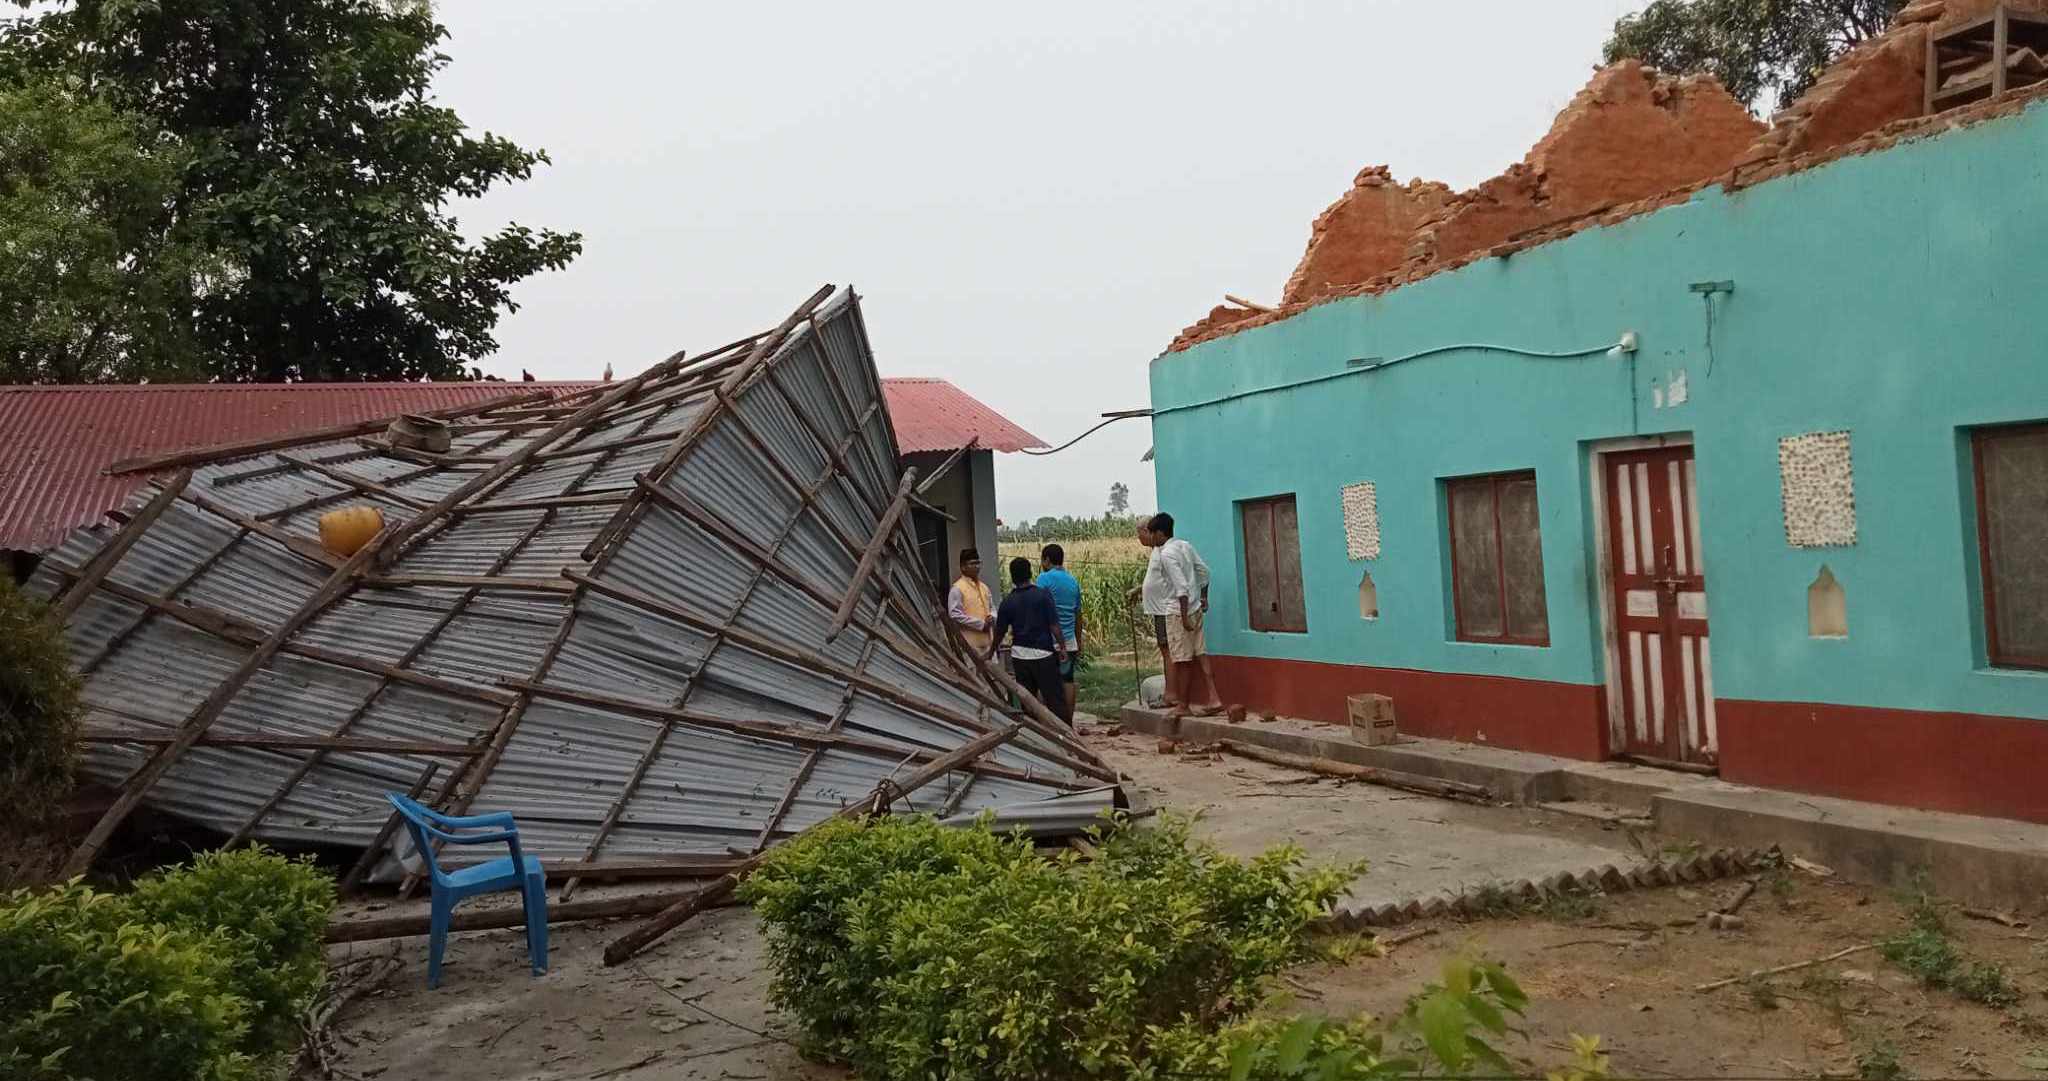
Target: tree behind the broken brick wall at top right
{"type": "Point", "coordinates": [1766, 52]}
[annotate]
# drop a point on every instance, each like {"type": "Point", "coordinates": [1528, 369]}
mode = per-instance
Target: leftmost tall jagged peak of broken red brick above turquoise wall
{"type": "Point", "coordinates": [1363, 234]}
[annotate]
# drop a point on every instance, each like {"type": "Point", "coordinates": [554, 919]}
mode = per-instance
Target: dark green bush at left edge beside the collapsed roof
{"type": "Point", "coordinates": [38, 714]}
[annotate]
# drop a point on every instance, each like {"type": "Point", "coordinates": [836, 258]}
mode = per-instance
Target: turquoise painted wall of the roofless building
{"type": "Point", "coordinates": [1900, 296]}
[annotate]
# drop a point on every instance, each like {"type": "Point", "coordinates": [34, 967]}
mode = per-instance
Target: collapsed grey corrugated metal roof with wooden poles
{"type": "Point", "coordinates": [611, 615]}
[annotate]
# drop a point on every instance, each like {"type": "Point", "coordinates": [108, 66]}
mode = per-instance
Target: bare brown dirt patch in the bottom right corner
{"type": "Point", "coordinates": [1631, 978]}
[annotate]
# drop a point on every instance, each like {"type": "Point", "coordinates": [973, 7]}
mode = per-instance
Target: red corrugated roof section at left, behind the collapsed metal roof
{"type": "Point", "coordinates": [56, 441]}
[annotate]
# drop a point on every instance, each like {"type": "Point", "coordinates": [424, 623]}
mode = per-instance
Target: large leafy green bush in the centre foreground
{"type": "Point", "coordinates": [916, 951]}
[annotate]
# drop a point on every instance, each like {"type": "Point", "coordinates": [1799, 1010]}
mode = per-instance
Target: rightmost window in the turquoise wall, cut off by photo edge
{"type": "Point", "coordinates": [2012, 533]}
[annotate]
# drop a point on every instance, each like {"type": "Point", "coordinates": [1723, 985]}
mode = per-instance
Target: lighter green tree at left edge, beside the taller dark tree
{"type": "Point", "coordinates": [97, 282]}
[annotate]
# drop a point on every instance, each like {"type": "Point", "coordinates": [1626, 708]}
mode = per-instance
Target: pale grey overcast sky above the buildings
{"type": "Point", "coordinates": [1031, 198]}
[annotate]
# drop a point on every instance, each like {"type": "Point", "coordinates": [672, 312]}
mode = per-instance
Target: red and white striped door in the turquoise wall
{"type": "Point", "coordinates": [1662, 662]}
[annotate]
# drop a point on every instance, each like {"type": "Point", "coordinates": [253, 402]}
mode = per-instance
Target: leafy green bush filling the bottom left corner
{"type": "Point", "coordinates": [87, 992]}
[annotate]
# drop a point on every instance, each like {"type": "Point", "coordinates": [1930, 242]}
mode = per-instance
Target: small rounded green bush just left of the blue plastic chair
{"type": "Point", "coordinates": [273, 918]}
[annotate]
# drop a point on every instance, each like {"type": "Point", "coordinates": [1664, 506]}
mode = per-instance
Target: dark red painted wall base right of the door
{"type": "Point", "coordinates": [1959, 763]}
